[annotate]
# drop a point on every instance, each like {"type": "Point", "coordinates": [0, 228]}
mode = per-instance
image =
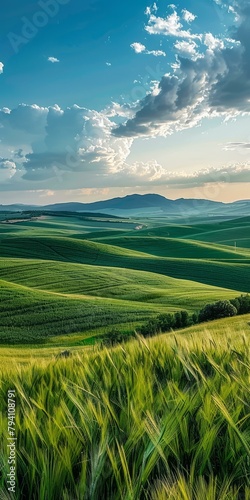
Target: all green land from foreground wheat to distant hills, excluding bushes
{"type": "Point", "coordinates": [163, 418]}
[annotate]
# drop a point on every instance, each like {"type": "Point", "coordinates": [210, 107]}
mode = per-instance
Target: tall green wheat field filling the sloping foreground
{"type": "Point", "coordinates": [166, 418]}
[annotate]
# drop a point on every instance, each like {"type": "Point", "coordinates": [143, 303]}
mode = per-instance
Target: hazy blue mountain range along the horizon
{"type": "Point", "coordinates": [146, 204]}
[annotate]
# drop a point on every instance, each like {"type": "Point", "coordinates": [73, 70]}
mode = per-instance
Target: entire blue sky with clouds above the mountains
{"type": "Point", "coordinates": [101, 99]}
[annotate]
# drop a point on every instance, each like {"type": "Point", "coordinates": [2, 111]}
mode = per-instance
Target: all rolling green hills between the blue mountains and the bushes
{"type": "Point", "coordinates": [73, 274]}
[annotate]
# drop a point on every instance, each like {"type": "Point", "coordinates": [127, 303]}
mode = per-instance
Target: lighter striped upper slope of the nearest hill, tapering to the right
{"type": "Point", "coordinates": [77, 279]}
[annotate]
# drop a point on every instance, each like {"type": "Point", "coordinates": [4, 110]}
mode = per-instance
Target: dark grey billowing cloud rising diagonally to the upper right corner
{"type": "Point", "coordinates": [212, 81]}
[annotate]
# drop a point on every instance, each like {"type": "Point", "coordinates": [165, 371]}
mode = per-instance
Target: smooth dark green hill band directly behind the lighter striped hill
{"type": "Point", "coordinates": [228, 274]}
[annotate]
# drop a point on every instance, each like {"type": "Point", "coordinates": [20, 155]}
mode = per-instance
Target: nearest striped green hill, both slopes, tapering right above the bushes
{"type": "Point", "coordinates": [39, 299]}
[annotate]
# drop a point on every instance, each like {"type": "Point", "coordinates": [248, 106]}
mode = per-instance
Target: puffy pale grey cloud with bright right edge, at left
{"type": "Point", "coordinates": [47, 142]}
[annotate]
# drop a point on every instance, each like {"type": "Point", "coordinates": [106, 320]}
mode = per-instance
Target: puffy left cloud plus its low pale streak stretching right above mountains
{"type": "Point", "coordinates": [74, 147]}
